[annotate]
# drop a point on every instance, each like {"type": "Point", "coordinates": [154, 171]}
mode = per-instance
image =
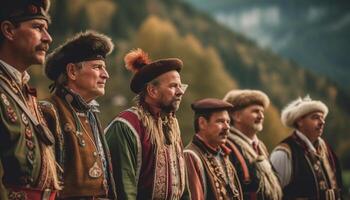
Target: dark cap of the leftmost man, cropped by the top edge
{"type": "Point", "coordinates": [23, 10]}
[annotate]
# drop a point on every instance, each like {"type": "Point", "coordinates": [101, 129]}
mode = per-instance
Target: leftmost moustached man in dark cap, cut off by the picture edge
{"type": "Point", "coordinates": [27, 163]}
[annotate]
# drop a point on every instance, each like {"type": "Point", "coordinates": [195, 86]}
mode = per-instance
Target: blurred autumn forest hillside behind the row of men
{"type": "Point", "coordinates": [217, 58]}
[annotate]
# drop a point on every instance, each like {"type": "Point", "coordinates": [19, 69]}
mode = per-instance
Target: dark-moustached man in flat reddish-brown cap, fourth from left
{"type": "Point", "coordinates": [211, 175]}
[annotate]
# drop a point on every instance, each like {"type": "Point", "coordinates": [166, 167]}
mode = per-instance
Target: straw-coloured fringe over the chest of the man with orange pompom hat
{"type": "Point", "coordinates": [154, 127]}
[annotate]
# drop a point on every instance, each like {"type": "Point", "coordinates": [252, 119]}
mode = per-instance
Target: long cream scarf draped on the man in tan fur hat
{"type": "Point", "coordinates": [269, 184]}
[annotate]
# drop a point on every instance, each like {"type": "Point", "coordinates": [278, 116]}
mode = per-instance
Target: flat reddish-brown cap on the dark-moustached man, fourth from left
{"type": "Point", "coordinates": [208, 105]}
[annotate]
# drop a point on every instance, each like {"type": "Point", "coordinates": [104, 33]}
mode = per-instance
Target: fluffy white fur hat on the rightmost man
{"type": "Point", "coordinates": [301, 107]}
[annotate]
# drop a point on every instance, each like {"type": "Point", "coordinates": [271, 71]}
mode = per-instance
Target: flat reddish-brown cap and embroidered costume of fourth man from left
{"type": "Point", "coordinates": [211, 175]}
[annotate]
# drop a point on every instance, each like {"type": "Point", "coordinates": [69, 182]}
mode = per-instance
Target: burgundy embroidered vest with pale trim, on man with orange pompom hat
{"type": "Point", "coordinates": [160, 172]}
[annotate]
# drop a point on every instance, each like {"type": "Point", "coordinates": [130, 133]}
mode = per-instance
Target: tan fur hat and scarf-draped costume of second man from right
{"type": "Point", "coordinates": [250, 156]}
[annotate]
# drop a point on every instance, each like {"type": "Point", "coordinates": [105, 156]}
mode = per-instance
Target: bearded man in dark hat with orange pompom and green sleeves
{"type": "Point", "coordinates": [145, 140]}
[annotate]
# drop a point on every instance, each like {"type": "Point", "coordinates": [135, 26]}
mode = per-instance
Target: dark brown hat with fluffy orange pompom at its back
{"type": "Point", "coordinates": [144, 70]}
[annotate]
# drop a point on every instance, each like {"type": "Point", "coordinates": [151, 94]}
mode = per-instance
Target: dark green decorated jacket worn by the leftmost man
{"type": "Point", "coordinates": [20, 145]}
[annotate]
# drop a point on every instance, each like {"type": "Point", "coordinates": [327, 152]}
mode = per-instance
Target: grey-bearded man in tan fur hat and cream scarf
{"type": "Point", "coordinates": [249, 154]}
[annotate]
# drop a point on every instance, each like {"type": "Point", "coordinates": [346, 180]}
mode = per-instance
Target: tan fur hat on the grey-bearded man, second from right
{"type": "Point", "coordinates": [243, 98]}
